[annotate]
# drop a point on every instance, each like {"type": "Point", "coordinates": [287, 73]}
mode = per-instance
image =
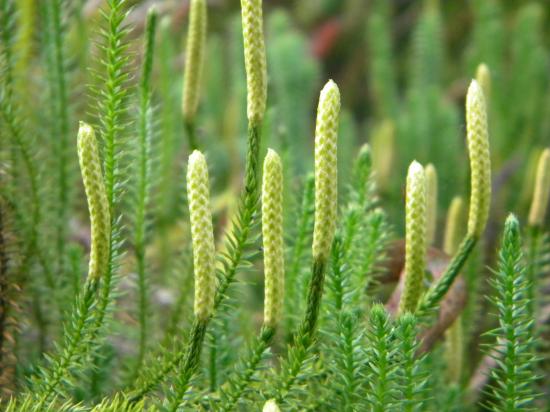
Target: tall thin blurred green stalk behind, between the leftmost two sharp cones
{"type": "Point", "coordinates": [143, 184]}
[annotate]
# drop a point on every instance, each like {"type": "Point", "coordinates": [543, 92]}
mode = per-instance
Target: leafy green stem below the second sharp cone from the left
{"type": "Point", "coordinates": [190, 363]}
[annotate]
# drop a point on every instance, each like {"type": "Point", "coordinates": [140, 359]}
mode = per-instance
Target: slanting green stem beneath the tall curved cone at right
{"type": "Point", "coordinates": [437, 292]}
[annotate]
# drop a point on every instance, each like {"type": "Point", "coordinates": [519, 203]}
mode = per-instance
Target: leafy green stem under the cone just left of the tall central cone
{"type": "Point", "coordinates": [248, 366]}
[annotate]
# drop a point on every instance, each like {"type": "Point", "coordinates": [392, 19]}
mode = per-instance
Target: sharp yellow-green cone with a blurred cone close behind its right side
{"type": "Point", "coordinates": [415, 253]}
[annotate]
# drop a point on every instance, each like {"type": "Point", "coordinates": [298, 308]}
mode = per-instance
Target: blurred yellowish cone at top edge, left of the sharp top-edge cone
{"type": "Point", "coordinates": [194, 62]}
